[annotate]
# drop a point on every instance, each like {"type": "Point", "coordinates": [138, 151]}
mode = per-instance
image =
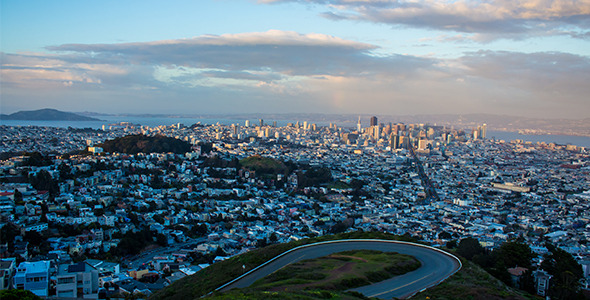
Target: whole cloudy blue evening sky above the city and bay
{"type": "Point", "coordinates": [527, 58]}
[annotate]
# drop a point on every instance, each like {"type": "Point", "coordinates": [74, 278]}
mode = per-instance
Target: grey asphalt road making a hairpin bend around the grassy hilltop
{"type": "Point", "coordinates": [436, 266]}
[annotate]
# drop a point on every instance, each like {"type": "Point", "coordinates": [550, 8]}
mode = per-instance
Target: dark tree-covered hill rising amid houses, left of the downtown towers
{"type": "Point", "coordinates": [133, 144]}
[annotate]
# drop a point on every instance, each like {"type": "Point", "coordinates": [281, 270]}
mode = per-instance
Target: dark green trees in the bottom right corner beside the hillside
{"type": "Point", "coordinates": [566, 272]}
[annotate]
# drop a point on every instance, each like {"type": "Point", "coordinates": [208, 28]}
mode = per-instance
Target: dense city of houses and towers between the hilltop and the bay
{"type": "Point", "coordinates": [81, 221]}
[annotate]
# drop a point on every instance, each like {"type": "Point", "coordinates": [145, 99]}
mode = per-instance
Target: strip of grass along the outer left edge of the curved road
{"type": "Point", "coordinates": [214, 276]}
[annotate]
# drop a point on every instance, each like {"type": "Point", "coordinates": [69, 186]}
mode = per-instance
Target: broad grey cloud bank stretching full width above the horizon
{"type": "Point", "coordinates": [283, 71]}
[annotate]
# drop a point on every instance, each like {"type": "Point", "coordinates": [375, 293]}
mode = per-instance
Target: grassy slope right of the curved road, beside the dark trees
{"type": "Point", "coordinates": [472, 282]}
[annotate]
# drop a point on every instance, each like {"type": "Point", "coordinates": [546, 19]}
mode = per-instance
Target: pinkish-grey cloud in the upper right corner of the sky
{"type": "Point", "coordinates": [483, 20]}
